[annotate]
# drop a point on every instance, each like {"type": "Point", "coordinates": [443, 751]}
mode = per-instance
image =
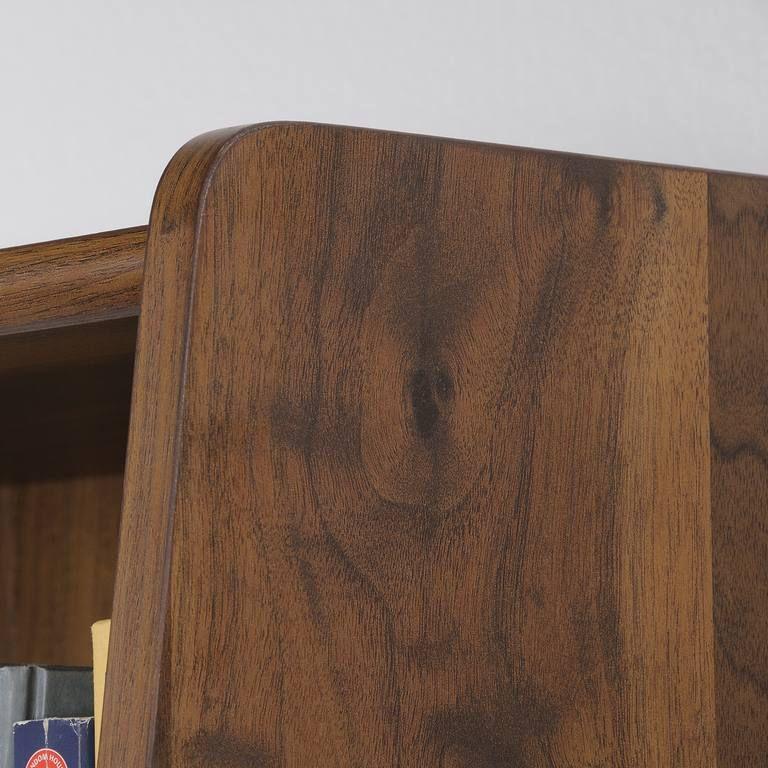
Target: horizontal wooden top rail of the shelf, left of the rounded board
{"type": "Point", "coordinates": [65, 282]}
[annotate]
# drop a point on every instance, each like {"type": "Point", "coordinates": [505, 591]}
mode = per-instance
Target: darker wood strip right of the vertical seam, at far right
{"type": "Point", "coordinates": [739, 437]}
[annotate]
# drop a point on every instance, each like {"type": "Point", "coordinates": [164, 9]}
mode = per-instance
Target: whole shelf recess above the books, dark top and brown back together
{"type": "Point", "coordinates": [64, 407]}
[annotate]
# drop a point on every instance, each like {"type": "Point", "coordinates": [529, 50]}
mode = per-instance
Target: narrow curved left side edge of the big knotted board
{"type": "Point", "coordinates": [134, 673]}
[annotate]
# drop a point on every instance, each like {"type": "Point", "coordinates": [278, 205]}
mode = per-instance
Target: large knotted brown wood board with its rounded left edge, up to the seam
{"type": "Point", "coordinates": [426, 459]}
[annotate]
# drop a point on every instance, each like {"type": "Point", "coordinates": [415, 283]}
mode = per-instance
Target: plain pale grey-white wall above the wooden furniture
{"type": "Point", "coordinates": [97, 95]}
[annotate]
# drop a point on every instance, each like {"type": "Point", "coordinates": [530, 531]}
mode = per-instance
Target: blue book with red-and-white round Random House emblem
{"type": "Point", "coordinates": [56, 742]}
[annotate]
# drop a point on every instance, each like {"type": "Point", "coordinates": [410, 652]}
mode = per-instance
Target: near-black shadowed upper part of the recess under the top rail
{"type": "Point", "coordinates": [65, 400]}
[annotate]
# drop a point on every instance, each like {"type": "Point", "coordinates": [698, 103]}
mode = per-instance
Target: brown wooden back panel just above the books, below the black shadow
{"type": "Point", "coordinates": [58, 550]}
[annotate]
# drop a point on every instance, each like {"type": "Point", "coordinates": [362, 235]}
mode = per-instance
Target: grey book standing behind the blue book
{"type": "Point", "coordinates": [32, 692]}
